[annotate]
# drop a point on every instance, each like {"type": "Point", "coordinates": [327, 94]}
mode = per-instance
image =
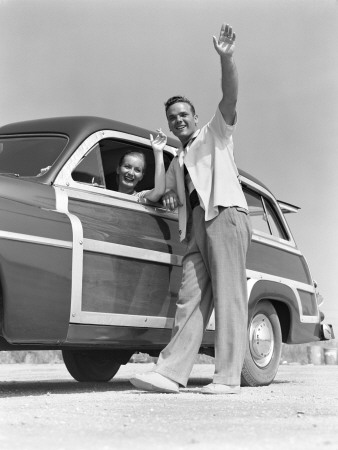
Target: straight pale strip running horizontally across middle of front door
{"type": "Point", "coordinates": [127, 251]}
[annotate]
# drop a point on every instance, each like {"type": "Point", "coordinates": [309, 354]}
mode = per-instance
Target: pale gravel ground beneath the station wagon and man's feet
{"type": "Point", "coordinates": [42, 407]}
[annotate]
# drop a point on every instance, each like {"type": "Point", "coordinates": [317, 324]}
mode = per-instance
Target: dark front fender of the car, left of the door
{"type": "Point", "coordinates": [35, 268]}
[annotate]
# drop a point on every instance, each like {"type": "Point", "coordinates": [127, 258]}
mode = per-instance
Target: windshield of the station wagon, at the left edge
{"type": "Point", "coordinates": [29, 156]}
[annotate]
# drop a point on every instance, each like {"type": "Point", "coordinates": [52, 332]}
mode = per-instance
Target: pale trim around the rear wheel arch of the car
{"type": "Point", "coordinates": [292, 284]}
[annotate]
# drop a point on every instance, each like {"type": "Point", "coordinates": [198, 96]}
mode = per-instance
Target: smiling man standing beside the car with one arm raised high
{"type": "Point", "coordinates": [202, 181]}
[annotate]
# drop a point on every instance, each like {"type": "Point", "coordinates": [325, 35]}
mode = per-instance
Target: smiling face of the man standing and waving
{"type": "Point", "coordinates": [182, 122]}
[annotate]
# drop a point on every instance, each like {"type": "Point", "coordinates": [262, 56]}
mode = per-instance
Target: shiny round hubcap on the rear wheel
{"type": "Point", "coordinates": [261, 340]}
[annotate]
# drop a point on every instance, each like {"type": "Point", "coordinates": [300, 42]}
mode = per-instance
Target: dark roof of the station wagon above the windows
{"type": "Point", "coordinates": [77, 129]}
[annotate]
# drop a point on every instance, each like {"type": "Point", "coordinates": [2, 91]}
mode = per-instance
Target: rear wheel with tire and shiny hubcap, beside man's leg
{"type": "Point", "coordinates": [264, 346]}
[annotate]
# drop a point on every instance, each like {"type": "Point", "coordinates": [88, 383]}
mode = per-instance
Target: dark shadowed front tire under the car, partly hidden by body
{"type": "Point", "coordinates": [94, 365]}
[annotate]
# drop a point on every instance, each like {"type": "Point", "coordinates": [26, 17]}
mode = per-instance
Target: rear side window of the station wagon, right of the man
{"type": "Point", "coordinates": [264, 217]}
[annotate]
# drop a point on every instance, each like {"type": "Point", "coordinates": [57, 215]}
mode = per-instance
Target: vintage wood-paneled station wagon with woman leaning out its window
{"type": "Point", "coordinates": [96, 273]}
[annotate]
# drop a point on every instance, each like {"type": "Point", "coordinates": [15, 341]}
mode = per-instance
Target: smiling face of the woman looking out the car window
{"type": "Point", "coordinates": [130, 172]}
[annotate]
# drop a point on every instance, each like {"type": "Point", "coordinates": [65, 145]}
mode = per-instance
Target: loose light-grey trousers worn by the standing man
{"type": "Point", "coordinates": [214, 276]}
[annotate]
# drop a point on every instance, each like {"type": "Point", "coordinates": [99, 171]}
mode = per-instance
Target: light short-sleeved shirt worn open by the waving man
{"type": "Point", "coordinates": [209, 159]}
